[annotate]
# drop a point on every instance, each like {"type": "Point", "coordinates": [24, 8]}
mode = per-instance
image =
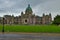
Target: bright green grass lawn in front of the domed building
{"type": "Point", "coordinates": [31, 28]}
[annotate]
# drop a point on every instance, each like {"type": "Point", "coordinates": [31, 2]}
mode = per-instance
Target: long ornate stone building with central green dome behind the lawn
{"type": "Point", "coordinates": [27, 18]}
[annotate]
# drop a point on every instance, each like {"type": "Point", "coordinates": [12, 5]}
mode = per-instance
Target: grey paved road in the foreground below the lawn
{"type": "Point", "coordinates": [27, 37]}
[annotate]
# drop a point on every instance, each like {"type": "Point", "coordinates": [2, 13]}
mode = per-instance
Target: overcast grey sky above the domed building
{"type": "Point", "coordinates": [38, 6]}
